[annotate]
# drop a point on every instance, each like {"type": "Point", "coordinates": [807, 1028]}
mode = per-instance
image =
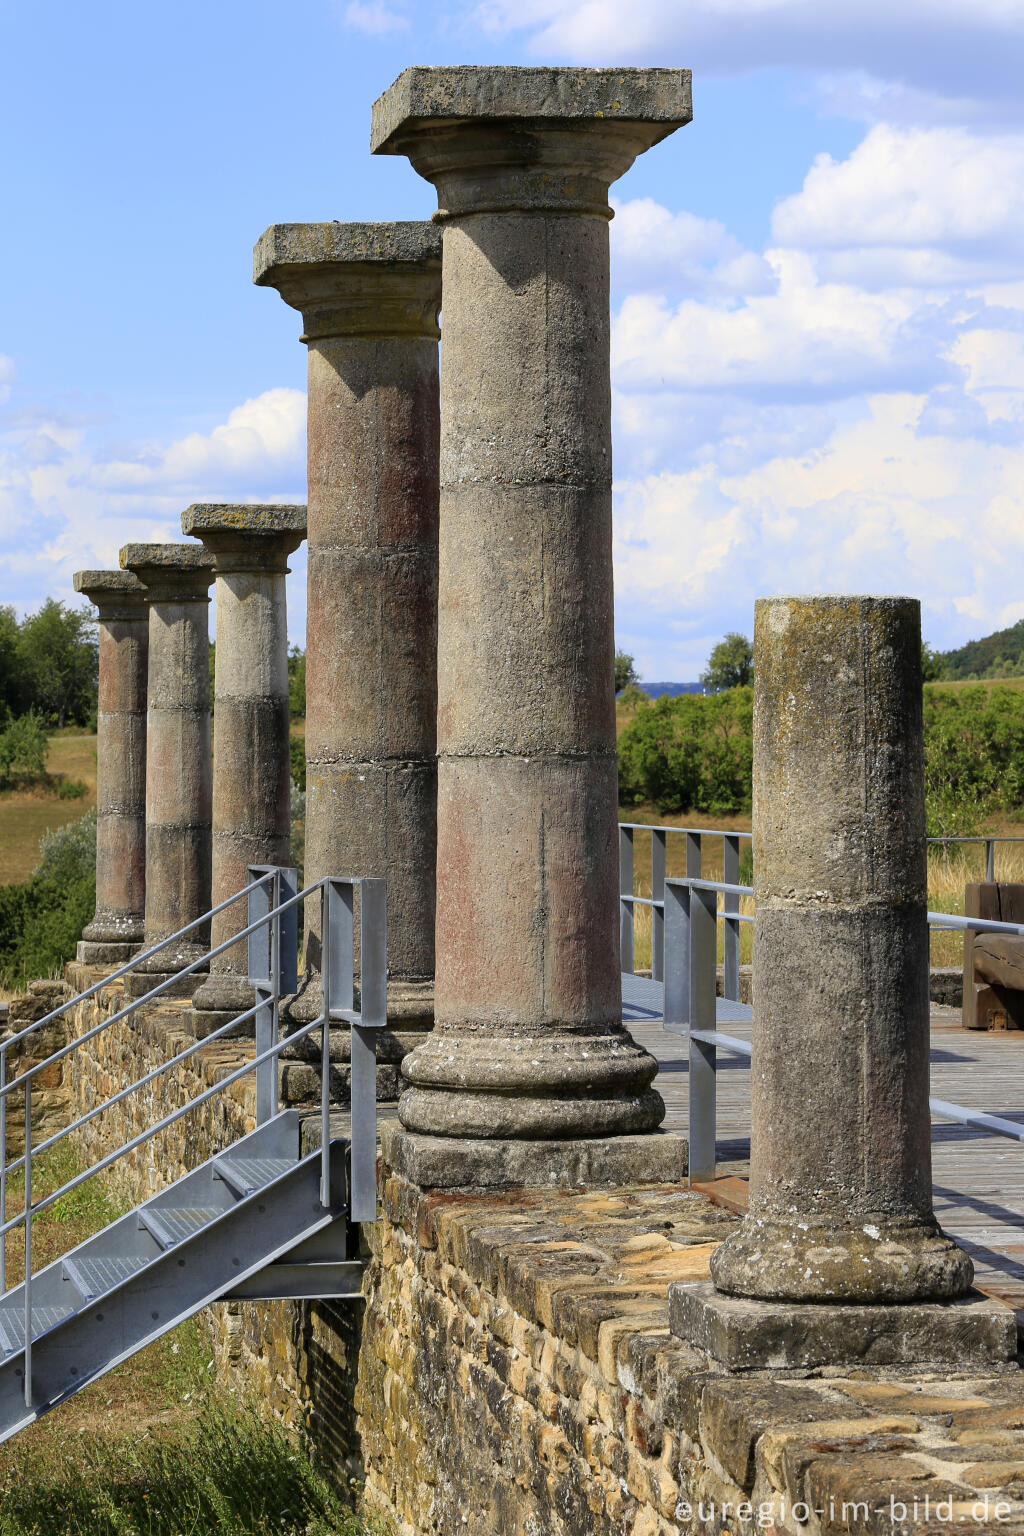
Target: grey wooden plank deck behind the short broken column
{"type": "Point", "coordinates": [979, 1179]}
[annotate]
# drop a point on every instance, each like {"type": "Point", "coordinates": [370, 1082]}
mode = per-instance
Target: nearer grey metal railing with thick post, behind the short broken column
{"type": "Point", "coordinates": [692, 916]}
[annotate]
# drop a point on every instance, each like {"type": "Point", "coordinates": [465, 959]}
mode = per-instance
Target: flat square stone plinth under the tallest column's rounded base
{"type": "Point", "coordinates": [448, 1164]}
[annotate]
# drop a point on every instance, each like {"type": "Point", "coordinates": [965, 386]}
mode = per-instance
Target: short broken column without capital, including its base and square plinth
{"type": "Point", "coordinates": [841, 1203]}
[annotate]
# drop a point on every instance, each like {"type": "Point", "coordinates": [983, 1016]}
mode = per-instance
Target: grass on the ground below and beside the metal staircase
{"type": "Point", "coordinates": [157, 1448]}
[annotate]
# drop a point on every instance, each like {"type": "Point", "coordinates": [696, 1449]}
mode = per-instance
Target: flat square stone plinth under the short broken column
{"type": "Point", "coordinates": [974, 1334]}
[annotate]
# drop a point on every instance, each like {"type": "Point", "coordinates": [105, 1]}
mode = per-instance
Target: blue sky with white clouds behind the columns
{"type": "Point", "coordinates": [818, 285]}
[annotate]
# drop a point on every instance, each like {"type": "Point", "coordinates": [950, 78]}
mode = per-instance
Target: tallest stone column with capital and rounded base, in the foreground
{"type": "Point", "coordinates": [529, 1038]}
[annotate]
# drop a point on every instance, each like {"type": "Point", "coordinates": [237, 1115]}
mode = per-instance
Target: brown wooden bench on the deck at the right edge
{"type": "Point", "coordinates": [994, 964]}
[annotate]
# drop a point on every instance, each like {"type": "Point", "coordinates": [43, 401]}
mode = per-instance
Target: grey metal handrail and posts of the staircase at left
{"type": "Point", "coordinates": [271, 933]}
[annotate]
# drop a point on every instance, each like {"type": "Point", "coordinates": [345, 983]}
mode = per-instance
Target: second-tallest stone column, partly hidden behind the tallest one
{"type": "Point", "coordinates": [369, 297]}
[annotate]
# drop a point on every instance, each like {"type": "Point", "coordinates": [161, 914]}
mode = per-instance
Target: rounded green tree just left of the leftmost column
{"type": "Point", "coordinates": [59, 655]}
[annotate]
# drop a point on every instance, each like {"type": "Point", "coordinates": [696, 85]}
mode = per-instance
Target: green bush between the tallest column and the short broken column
{"type": "Point", "coordinates": [690, 753]}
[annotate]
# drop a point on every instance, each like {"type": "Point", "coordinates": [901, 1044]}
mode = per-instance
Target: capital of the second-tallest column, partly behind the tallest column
{"type": "Point", "coordinates": [355, 280]}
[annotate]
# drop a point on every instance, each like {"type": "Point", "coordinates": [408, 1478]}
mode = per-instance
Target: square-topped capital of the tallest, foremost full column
{"type": "Point", "coordinates": [507, 139]}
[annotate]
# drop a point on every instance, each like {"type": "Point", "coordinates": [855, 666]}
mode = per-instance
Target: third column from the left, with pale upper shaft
{"type": "Point", "coordinates": [251, 723]}
